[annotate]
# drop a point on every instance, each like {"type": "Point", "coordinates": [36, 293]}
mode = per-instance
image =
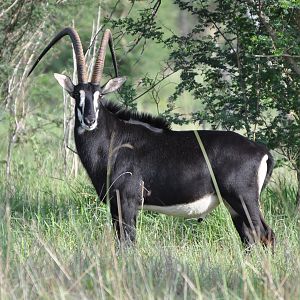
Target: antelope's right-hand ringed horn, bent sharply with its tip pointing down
{"type": "Point", "coordinates": [99, 64]}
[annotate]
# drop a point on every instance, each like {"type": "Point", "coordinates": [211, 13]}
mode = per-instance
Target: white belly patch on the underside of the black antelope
{"type": "Point", "coordinates": [196, 209]}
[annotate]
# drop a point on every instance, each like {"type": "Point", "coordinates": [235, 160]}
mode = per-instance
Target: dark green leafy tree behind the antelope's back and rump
{"type": "Point", "coordinates": [241, 61]}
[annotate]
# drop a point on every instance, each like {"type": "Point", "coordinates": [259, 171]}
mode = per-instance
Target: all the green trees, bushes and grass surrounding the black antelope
{"type": "Point", "coordinates": [222, 64]}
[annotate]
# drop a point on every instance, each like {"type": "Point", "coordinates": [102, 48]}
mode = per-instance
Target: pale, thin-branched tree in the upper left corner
{"type": "Point", "coordinates": [20, 33]}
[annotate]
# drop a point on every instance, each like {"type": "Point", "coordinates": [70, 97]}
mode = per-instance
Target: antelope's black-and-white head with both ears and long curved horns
{"type": "Point", "coordinates": [86, 94]}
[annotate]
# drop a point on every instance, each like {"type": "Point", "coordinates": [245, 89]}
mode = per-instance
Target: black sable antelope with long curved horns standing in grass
{"type": "Point", "coordinates": [162, 170]}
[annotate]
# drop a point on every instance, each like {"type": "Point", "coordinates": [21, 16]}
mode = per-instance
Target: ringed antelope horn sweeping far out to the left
{"type": "Point", "coordinates": [80, 59]}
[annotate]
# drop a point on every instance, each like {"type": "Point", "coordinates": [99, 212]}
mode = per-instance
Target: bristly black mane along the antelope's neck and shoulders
{"type": "Point", "coordinates": [127, 115]}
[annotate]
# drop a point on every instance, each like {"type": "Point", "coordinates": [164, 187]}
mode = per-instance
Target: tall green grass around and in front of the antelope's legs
{"type": "Point", "coordinates": [57, 243]}
